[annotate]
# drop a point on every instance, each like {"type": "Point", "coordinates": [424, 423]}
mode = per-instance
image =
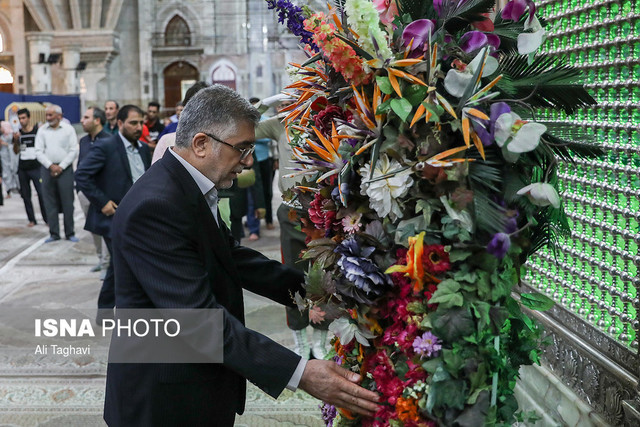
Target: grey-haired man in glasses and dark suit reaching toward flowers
{"type": "Point", "coordinates": [172, 250]}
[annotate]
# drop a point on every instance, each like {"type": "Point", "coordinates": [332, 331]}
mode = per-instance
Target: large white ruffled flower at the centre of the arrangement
{"type": "Point", "coordinates": [383, 193]}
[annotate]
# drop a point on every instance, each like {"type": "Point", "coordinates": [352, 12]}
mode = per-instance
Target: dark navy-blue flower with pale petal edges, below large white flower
{"type": "Point", "coordinates": [359, 269]}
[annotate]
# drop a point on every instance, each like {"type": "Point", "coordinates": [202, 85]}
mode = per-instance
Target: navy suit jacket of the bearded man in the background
{"type": "Point", "coordinates": [104, 174]}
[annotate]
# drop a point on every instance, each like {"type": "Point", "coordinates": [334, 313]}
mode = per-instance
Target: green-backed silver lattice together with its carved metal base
{"type": "Point", "coordinates": [593, 277]}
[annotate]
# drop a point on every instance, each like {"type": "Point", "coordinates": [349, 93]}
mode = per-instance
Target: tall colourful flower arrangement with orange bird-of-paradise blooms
{"type": "Point", "coordinates": [426, 184]}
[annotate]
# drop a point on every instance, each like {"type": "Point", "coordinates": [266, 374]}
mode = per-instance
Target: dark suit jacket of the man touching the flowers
{"type": "Point", "coordinates": [169, 252]}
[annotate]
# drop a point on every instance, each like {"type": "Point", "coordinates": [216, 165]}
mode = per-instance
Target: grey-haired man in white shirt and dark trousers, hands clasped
{"type": "Point", "coordinates": [56, 149]}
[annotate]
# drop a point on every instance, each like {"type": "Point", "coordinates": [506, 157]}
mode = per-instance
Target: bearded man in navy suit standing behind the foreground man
{"type": "Point", "coordinates": [105, 174]}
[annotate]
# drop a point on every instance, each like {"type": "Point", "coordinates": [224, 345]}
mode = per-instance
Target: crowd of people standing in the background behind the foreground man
{"type": "Point", "coordinates": [118, 144]}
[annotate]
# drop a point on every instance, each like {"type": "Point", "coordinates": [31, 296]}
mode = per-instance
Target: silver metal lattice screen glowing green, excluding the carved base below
{"type": "Point", "coordinates": [595, 273]}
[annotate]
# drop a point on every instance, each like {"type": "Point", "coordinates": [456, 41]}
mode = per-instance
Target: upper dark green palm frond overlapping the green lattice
{"type": "Point", "coordinates": [546, 82]}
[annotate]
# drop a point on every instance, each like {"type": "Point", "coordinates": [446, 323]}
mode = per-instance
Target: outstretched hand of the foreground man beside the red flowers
{"type": "Point", "coordinates": [330, 383]}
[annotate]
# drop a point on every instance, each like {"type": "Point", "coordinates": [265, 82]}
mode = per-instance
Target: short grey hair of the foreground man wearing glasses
{"type": "Point", "coordinates": [217, 110]}
